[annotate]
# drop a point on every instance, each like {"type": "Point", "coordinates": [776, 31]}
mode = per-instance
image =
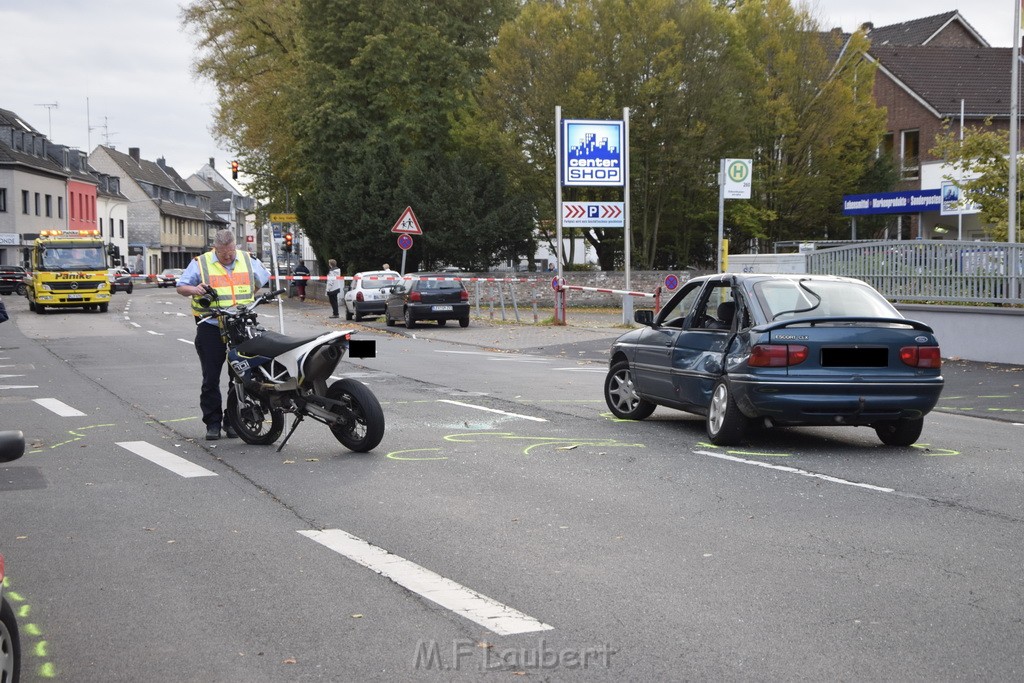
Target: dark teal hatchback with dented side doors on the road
{"type": "Point", "coordinates": [779, 351]}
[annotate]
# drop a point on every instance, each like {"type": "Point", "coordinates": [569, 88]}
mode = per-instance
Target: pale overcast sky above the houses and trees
{"type": "Point", "coordinates": [120, 71]}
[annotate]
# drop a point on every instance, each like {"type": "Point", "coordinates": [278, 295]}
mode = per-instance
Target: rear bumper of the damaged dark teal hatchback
{"type": "Point", "coordinates": [837, 403]}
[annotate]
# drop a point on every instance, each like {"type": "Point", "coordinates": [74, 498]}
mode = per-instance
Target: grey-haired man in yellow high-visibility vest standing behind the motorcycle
{"type": "Point", "coordinates": [235, 277]}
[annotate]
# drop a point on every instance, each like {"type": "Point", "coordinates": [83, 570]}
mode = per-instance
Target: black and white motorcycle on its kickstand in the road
{"type": "Point", "coordinates": [273, 375]}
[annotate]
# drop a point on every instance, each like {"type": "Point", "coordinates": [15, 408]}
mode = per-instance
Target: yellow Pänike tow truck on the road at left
{"type": "Point", "coordinates": [68, 269]}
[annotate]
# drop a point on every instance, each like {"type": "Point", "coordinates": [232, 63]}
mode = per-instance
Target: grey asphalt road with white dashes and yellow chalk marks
{"type": "Point", "coordinates": [507, 527]}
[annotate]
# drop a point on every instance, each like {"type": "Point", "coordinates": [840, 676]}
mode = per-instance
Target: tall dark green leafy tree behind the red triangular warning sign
{"type": "Point", "coordinates": [386, 80]}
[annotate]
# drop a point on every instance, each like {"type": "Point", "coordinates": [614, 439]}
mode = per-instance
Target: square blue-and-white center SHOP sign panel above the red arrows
{"type": "Point", "coordinates": [592, 153]}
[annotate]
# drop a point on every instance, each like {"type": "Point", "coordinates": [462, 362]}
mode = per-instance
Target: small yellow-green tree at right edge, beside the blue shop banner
{"type": "Point", "coordinates": [984, 159]}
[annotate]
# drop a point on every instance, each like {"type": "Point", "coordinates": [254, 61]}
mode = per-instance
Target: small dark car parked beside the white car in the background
{"type": "Point", "coordinates": [429, 297]}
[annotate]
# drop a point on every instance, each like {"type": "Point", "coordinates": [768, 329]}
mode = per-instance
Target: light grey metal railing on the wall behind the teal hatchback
{"type": "Point", "coordinates": [936, 272]}
